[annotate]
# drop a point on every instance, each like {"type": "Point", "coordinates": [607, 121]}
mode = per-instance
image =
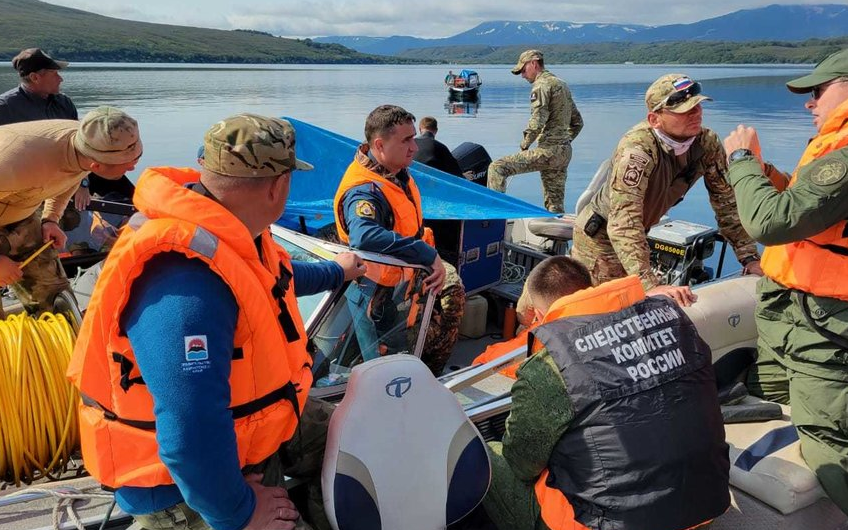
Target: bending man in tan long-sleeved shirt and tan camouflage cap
{"type": "Point", "coordinates": [44, 162]}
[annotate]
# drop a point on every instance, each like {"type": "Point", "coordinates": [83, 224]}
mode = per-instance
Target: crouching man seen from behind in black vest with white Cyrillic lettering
{"type": "Point", "coordinates": [600, 436]}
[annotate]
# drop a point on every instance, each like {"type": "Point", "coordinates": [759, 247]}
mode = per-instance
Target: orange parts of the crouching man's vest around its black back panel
{"type": "Point", "coordinates": [609, 297]}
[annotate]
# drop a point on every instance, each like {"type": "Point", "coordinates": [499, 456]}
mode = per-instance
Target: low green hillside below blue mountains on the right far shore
{"type": "Point", "coordinates": [810, 51]}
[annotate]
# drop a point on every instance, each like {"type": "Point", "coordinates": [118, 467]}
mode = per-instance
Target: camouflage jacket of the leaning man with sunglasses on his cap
{"type": "Point", "coordinates": [647, 179]}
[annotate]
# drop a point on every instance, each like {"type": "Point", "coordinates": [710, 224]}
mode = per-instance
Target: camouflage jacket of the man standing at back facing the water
{"type": "Point", "coordinates": [554, 118]}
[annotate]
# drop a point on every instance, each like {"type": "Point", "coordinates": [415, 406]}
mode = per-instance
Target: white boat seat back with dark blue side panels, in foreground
{"type": "Point", "coordinates": [401, 452]}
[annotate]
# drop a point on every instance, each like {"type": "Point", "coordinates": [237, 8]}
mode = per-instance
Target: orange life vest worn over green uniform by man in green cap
{"type": "Point", "coordinates": [819, 264]}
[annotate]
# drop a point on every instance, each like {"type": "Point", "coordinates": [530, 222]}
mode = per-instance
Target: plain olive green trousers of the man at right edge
{"type": "Point", "coordinates": [797, 365]}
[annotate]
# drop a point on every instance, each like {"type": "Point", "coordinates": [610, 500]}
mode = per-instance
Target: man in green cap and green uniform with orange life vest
{"type": "Point", "coordinates": [802, 315]}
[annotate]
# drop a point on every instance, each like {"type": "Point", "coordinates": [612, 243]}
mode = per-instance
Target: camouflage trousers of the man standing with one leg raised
{"type": "Point", "coordinates": [551, 161]}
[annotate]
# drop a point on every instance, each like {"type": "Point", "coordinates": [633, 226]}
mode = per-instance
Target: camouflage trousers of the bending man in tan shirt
{"type": "Point", "coordinates": [43, 278]}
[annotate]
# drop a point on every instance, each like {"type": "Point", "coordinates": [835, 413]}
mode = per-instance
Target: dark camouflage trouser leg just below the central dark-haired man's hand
{"type": "Point", "coordinates": [443, 331]}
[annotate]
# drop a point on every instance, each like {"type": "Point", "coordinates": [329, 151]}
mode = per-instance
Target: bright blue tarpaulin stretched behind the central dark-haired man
{"type": "Point", "coordinates": [443, 196]}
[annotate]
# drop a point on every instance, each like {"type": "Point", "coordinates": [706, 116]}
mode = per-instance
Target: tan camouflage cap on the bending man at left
{"type": "Point", "coordinates": [109, 136]}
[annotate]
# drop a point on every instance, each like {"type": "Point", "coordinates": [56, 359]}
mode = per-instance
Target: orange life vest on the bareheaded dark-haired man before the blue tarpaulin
{"type": "Point", "coordinates": [407, 215]}
